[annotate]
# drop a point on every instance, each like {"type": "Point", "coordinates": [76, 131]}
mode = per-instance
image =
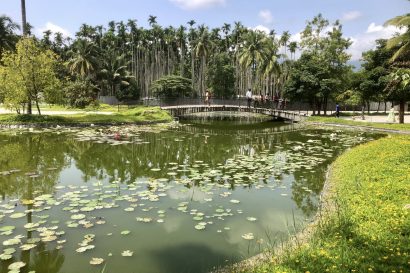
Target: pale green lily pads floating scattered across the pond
{"type": "Point", "coordinates": [83, 205]}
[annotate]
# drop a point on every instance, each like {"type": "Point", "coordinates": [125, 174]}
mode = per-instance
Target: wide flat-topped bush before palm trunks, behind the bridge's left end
{"type": "Point", "coordinates": [172, 86]}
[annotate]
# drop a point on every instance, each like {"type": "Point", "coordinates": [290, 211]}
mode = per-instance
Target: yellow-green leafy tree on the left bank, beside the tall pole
{"type": "Point", "coordinates": [28, 74]}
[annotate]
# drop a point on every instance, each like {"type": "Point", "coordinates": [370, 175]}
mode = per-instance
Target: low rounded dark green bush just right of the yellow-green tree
{"type": "Point", "coordinates": [80, 93]}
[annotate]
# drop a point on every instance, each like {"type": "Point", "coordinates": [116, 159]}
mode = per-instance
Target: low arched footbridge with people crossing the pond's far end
{"type": "Point", "coordinates": [183, 110]}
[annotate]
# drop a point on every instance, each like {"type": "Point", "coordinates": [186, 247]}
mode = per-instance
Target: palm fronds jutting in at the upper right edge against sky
{"type": "Point", "coordinates": [401, 41]}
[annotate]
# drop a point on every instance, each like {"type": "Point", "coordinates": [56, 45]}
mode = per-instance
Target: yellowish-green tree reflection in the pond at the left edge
{"type": "Point", "coordinates": [31, 153]}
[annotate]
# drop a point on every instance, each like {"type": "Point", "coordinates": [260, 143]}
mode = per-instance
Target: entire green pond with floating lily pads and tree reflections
{"type": "Point", "coordinates": [169, 198]}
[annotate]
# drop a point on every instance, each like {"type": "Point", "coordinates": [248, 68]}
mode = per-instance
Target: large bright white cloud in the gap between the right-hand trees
{"type": "Point", "coordinates": [367, 40]}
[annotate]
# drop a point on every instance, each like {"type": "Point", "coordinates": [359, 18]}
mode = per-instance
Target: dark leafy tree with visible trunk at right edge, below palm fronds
{"type": "Point", "coordinates": [398, 88]}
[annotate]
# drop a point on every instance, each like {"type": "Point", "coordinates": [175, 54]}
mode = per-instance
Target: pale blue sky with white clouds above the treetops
{"type": "Point", "coordinates": [362, 19]}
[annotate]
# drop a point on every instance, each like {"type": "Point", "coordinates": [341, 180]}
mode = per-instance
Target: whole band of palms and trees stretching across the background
{"type": "Point", "coordinates": [130, 62]}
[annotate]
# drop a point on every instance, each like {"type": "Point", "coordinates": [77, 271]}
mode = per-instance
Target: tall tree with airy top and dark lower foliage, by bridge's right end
{"type": "Point", "coordinates": [321, 71]}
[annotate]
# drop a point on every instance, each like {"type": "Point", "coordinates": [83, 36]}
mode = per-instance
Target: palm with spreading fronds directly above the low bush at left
{"type": "Point", "coordinates": [83, 58]}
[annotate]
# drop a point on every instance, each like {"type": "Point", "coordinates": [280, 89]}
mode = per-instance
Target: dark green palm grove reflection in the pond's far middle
{"type": "Point", "coordinates": [131, 161]}
